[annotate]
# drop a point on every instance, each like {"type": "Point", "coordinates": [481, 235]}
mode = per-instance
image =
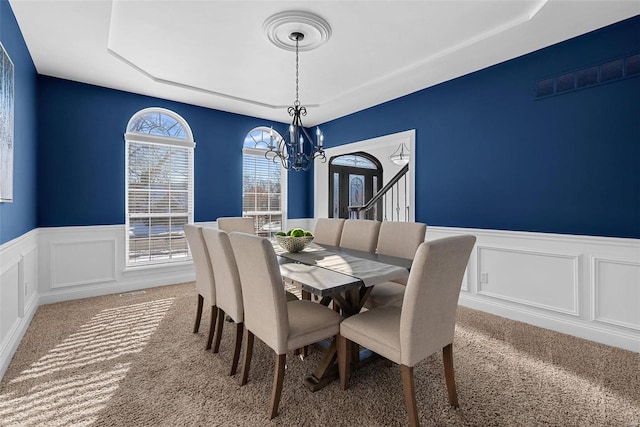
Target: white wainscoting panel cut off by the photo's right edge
{"type": "Point", "coordinates": [616, 292]}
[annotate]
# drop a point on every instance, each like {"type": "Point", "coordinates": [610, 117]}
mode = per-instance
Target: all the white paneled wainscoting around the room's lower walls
{"type": "Point", "coordinates": [580, 285]}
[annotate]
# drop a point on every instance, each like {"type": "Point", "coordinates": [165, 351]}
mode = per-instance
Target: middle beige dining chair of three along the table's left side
{"type": "Point", "coordinates": [228, 290]}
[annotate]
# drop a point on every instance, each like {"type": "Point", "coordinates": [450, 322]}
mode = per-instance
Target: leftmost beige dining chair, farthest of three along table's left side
{"type": "Point", "coordinates": [205, 282]}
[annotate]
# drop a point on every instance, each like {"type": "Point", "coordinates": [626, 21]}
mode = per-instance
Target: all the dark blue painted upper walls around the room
{"type": "Point", "coordinates": [489, 155]}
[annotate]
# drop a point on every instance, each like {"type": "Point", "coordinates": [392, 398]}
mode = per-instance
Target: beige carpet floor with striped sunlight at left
{"type": "Point", "coordinates": [133, 361]}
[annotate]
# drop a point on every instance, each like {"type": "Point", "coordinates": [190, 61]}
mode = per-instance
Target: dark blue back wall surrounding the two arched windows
{"type": "Point", "coordinates": [81, 155]}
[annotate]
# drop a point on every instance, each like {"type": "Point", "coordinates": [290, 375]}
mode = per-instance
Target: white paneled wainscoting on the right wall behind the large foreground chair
{"type": "Point", "coordinates": [584, 286]}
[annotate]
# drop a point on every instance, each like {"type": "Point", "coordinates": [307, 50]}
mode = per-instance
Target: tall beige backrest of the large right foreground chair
{"type": "Point", "coordinates": [428, 316]}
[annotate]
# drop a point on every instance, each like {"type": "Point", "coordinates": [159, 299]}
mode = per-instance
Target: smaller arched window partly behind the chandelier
{"type": "Point", "coordinates": [264, 184]}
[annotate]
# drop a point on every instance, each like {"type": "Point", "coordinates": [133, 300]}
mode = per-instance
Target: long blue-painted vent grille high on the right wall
{"type": "Point", "coordinates": [617, 69]}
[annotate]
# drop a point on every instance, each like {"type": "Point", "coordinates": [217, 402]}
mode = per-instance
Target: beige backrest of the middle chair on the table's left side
{"type": "Point", "coordinates": [225, 272]}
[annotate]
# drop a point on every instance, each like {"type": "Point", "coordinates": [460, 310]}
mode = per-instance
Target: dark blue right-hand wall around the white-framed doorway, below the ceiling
{"type": "Point", "coordinates": [489, 155]}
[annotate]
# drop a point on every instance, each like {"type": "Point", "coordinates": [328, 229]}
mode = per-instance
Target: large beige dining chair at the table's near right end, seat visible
{"type": "Point", "coordinates": [424, 324]}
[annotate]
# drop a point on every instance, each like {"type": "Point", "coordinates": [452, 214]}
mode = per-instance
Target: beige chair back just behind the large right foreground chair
{"type": "Point", "coordinates": [400, 239]}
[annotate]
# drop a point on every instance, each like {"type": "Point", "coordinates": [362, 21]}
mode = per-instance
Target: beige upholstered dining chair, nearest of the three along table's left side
{"type": "Point", "coordinates": [282, 325]}
